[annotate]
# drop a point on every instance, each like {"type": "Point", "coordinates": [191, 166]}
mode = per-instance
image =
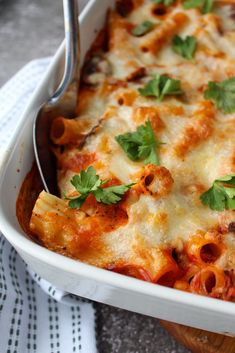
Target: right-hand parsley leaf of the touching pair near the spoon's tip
{"type": "Point", "coordinates": [112, 194]}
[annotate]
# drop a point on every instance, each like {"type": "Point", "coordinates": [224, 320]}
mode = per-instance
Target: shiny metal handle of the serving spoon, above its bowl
{"type": "Point", "coordinates": [72, 55]}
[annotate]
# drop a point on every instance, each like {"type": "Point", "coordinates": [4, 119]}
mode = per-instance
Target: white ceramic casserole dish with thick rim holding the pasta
{"type": "Point", "coordinates": [79, 278]}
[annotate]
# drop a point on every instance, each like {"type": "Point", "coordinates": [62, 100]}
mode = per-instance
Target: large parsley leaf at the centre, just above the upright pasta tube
{"type": "Point", "coordinates": [140, 145]}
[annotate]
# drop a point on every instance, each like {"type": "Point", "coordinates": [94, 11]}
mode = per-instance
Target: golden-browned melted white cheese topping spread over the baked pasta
{"type": "Point", "coordinates": [199, 140]}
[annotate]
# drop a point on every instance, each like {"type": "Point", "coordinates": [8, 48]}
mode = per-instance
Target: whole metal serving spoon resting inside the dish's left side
{"type": "Point", "coordinates": [62, 103]}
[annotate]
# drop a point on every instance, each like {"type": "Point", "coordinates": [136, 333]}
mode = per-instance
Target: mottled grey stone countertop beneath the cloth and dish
{"type": "Point", "coordinates": [32, 29]}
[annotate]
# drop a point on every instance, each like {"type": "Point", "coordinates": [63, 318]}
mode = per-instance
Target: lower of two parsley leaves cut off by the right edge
{"type": "Point", "coordinates": [221, 196]}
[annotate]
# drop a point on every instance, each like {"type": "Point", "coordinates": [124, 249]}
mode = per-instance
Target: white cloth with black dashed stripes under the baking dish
{"type": "Point", "coordinates": [35, 317]}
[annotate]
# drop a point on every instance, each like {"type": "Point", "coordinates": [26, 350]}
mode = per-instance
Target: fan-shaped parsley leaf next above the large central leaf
{"type": "Point", "coordinates": [160, 86]}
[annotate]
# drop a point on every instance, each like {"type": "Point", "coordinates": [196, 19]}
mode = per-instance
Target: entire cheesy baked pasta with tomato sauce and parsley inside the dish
{"type": "Point", "coordinates": [146, 171]}
